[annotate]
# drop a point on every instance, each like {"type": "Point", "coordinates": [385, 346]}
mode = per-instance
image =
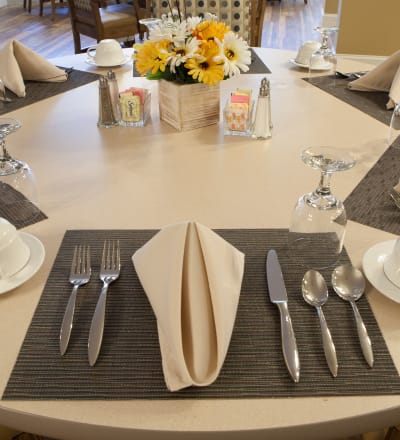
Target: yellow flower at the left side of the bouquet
{"type": "Point", "coordinates": [151, 57]}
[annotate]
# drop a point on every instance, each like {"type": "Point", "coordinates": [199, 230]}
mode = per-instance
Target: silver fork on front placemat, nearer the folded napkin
{"type": "Point", "coordinates": [109, 272]}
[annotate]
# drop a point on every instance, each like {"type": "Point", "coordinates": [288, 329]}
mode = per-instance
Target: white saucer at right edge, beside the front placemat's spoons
{"type": "Point", "coordinates": [373, 268]}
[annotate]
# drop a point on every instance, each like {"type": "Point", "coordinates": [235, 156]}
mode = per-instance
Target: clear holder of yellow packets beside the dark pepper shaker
{"type": "Point", "coordinates": [133, 112]}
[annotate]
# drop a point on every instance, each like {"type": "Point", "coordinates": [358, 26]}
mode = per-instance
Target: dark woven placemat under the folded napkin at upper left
{"type": "Point", "coordinates": [36, 91]}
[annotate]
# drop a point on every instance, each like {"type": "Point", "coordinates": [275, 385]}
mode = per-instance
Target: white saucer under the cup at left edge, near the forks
{"type": "Point", "coordinates": [32, 266]}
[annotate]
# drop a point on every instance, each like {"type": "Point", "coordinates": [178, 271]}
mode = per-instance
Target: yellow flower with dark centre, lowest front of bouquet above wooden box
{"type": "Point", "coordinates": [204, 68]}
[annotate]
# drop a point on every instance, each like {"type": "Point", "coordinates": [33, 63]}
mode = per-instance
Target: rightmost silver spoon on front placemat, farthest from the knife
{"type": "Point", "coordinates": [349, 283]}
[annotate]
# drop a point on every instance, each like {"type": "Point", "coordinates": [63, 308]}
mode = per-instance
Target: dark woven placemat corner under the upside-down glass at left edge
{"type": "Point", "coordinates": [17, 209]}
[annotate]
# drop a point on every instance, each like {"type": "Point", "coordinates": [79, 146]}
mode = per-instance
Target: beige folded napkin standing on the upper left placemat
{"type": "Point", "coordinates": [18, 63]}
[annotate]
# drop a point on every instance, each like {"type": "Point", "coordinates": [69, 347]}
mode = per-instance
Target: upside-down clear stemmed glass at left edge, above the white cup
{"type": "Point", "coordinates": [17, 182]}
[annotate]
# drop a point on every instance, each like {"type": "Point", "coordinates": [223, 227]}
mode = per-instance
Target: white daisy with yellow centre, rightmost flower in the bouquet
{"type": "Point", "coordinates": [235, 53]}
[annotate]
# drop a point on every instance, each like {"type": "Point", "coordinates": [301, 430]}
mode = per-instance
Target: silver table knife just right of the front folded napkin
{"type": "Point", "coordinates": [278, 296]}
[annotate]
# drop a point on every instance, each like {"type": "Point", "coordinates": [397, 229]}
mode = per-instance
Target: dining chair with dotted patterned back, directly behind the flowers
{"type": "Point", "coordinates": [244, 17]}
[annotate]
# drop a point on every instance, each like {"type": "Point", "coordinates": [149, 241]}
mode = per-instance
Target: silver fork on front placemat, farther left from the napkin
{"type": "Point", "coordinates": [79, 275]}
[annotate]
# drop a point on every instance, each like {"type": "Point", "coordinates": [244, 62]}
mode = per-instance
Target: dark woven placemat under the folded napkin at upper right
{"type": "Point", "coordinates": [371, 103]}
